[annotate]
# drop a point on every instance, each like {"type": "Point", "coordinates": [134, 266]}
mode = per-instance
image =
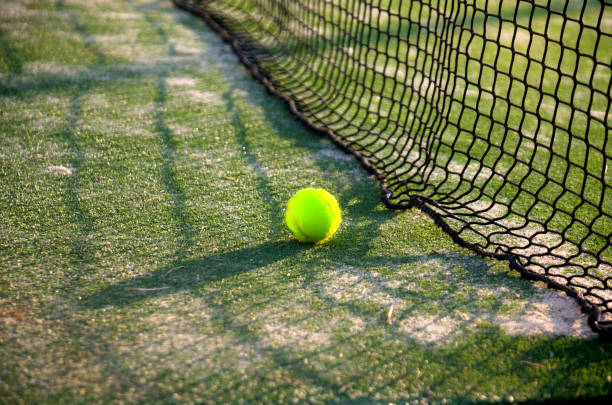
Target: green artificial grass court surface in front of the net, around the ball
{"type": "Point", "coordinates": [144, 259]}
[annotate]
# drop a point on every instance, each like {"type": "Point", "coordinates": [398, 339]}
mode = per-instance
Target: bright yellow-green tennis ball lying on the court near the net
{"type": "Point", "coordinates": [312, 215]}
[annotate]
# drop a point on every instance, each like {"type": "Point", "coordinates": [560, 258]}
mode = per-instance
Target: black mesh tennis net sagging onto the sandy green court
{"type": "Point", "coordinates": [491, 116]}
